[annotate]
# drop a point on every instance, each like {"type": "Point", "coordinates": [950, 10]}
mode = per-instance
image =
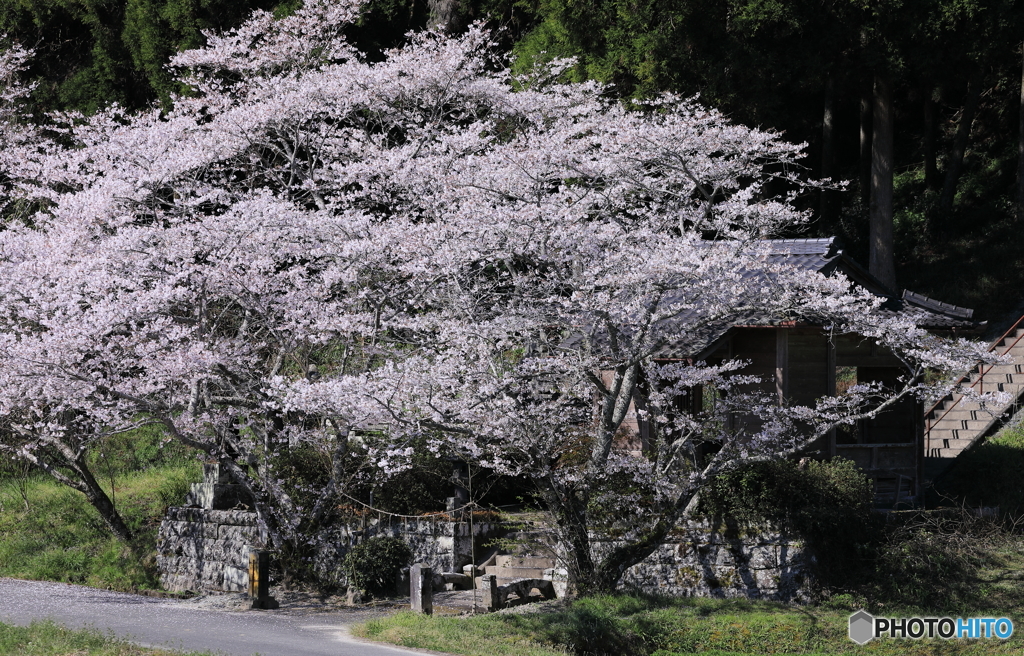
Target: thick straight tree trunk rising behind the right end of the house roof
{"type": "Point", "coordinates": [881, 260]}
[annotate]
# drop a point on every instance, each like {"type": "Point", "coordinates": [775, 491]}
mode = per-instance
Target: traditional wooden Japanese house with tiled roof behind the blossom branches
{"type": "Point", "coordinates": [799, 363]}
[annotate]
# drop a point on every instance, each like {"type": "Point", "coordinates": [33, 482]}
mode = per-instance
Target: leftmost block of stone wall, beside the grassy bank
{"type": "Point", "coordinates": [200, 549]}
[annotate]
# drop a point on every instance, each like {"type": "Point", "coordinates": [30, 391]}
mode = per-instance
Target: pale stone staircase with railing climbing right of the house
{"type": "Point", "coordinates": [957, 422]}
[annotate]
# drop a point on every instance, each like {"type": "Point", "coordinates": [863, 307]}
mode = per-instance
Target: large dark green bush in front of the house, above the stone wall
{"type": "Point", "coordinates": [828, 505]}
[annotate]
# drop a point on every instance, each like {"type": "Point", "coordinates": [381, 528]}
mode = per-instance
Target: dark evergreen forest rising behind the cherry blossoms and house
{"type": "Point", "coordinates": [942, 78]}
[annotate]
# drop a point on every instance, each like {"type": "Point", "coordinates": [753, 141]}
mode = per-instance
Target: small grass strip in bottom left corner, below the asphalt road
{"type": "Point", "coordinates": [48, 639]}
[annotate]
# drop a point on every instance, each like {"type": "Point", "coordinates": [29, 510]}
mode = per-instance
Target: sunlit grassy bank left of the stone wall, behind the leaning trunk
{"type": "Point", "coordinates": [51, 533]}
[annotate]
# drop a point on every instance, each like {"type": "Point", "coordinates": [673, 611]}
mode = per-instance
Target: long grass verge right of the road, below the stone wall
{"type": "Point", "coordinates": [641, 627]}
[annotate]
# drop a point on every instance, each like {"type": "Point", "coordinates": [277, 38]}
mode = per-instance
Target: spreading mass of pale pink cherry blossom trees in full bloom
{"type": "Point", "coordinates": [312, 244]}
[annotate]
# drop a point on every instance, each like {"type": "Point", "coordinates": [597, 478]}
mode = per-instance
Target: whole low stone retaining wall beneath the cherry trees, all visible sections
{"type": "Point", "coordinates": [207, 548]}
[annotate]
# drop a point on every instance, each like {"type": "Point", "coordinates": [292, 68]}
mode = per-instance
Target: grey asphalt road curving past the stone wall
{"type": "Point", "coordinates": [169, 624]}
